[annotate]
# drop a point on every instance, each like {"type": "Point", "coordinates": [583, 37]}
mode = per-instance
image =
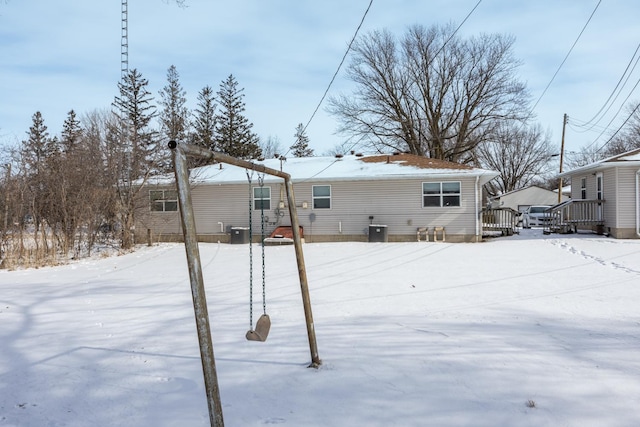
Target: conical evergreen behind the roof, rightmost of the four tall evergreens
{"type": "Point", "coordinates": [233, 130]}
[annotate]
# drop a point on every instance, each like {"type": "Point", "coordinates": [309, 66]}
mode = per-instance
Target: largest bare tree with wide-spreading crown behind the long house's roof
{"type": "Point", "coordinates": [431, 93]}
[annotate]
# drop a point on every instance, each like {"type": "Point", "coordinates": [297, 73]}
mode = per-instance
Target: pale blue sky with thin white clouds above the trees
{"type": "Point", "coordinates": [65, 54]}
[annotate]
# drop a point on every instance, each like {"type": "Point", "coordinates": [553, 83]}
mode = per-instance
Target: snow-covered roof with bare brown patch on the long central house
{"type": "Point", "coordinates": [351, 167]}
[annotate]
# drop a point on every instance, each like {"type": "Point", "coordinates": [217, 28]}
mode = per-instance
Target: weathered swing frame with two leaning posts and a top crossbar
{"type": "Point", "coordinates": [179, 153]}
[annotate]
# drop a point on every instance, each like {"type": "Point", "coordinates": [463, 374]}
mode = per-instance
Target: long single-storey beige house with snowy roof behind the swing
{"type": "Point", "coordinates": [337, 199]}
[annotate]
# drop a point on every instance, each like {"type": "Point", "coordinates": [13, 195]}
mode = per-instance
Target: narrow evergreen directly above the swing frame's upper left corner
{"type": "Point", "coordinates": [174, 117]}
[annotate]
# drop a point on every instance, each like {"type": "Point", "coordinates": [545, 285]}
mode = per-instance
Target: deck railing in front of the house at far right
{"type": "Point", "coordinates": [572, 215]}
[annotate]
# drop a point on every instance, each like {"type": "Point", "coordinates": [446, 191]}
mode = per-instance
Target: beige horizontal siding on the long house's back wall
{"type": "Point", "coordinates": [393, 202]}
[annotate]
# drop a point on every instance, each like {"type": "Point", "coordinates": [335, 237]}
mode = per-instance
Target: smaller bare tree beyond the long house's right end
{"type": "Point", "coordinates": [521, 154]}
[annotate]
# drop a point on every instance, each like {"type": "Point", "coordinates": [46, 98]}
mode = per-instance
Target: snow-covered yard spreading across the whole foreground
{"type": "Point", "coordinates": [529, 330]}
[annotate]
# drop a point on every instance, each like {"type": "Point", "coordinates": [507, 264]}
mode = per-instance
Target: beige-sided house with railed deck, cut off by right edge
{"type": "Point", "coordinates": [612, 187]}
